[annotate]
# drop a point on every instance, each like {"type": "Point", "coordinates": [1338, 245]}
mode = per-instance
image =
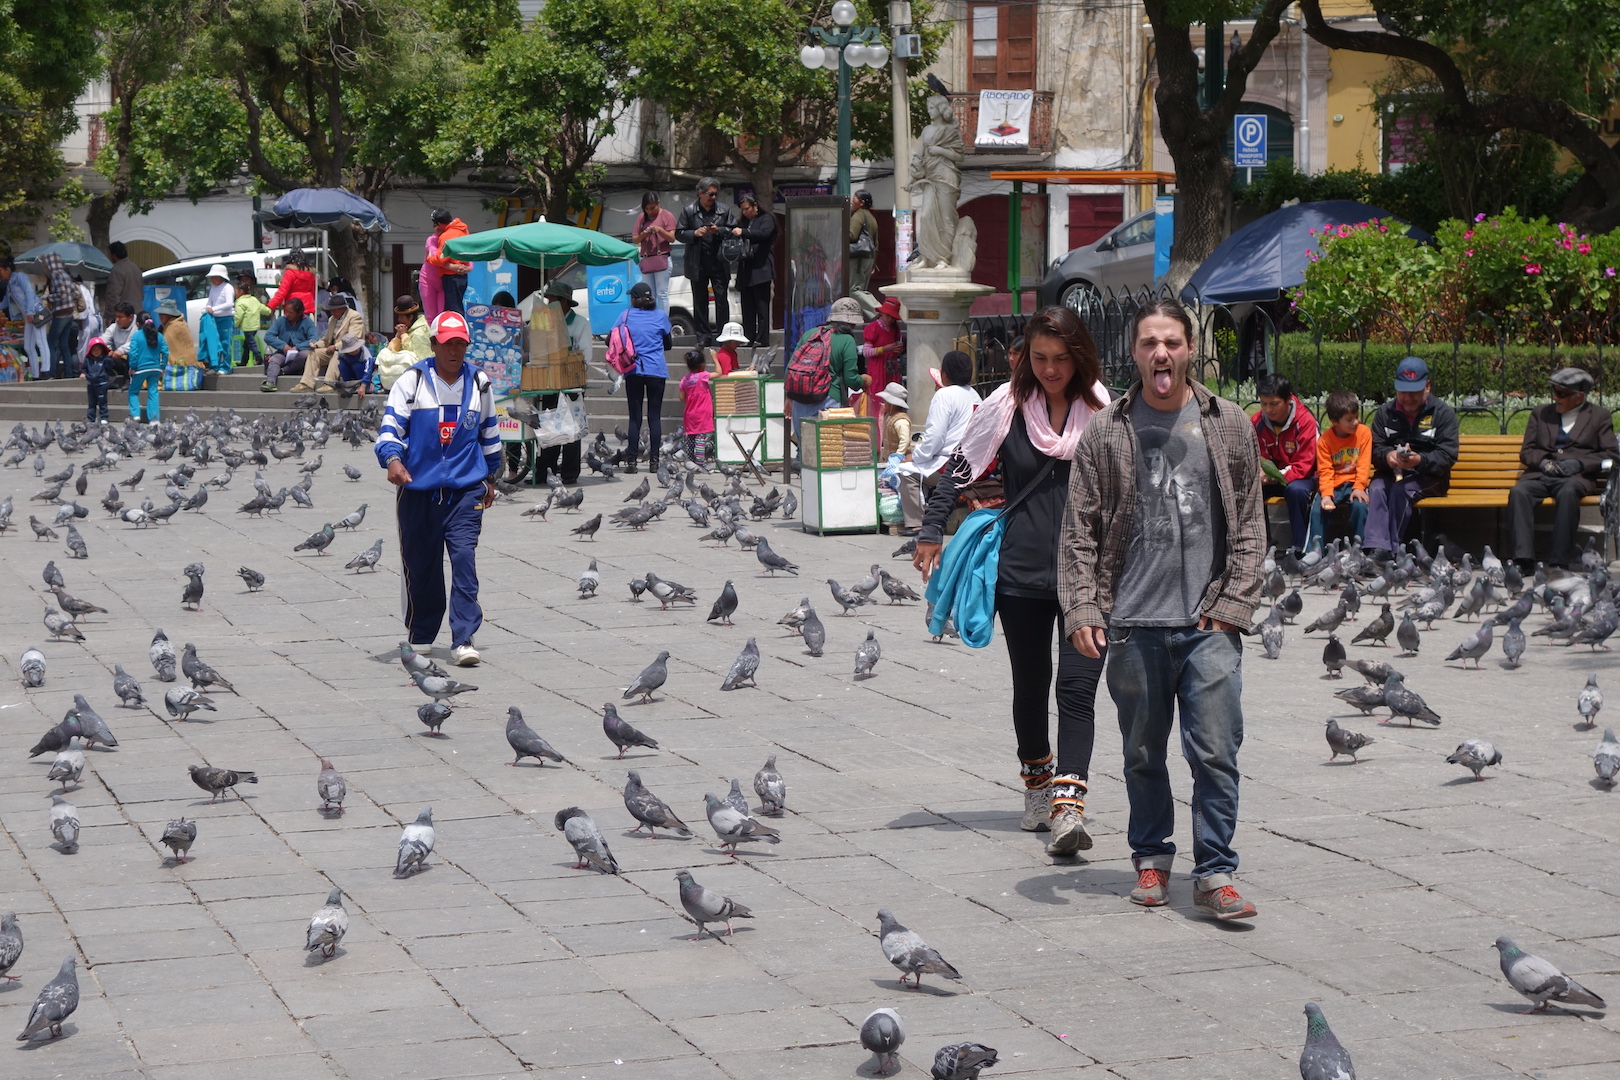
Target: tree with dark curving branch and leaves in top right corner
{"type": "Point", "coordinates": [1498, 66]}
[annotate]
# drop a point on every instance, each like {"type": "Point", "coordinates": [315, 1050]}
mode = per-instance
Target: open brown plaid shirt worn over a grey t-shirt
{"type": "Point", "coordinates": [1102, 506]}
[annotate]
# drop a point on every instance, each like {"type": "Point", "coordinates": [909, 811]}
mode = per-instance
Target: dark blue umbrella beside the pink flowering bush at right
{"type": "Point", "coordinates": [1271, 255]}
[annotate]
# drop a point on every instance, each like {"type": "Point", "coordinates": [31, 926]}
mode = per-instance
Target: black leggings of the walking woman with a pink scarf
{"type": "Point", "coordinates": [1028, 627]}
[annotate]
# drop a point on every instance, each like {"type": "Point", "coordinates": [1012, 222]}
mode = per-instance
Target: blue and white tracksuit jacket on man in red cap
{"type": "Point", "coordinates": [443, 444]}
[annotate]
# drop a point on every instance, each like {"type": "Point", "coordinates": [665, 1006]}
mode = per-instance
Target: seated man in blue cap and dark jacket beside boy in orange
{"type": "Point", "coordinates": [1413, 453]}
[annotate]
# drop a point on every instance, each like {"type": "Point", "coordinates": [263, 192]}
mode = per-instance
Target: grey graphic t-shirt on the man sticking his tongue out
{"type": "Point", "coordinates": [1179, 537]}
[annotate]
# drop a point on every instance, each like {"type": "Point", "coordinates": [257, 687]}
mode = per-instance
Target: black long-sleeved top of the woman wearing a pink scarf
{"type": "Point", "coordinates": [1030, 546]}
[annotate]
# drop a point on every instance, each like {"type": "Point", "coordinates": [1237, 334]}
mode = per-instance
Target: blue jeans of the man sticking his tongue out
{"type": "Point", "coordinates": [1151, 673]}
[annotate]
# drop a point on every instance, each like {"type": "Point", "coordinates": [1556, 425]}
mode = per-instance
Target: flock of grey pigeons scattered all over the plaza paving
{"type": "Point", "coordinates": [1582, 611]}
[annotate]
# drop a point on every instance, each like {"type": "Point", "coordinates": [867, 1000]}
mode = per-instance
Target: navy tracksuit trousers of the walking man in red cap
{"type": "Point", "coordinates": [433, 525]}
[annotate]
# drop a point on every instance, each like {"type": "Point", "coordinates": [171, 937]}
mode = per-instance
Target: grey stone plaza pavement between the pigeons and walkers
{"type": "Point", "coordinates": [1381, 887]}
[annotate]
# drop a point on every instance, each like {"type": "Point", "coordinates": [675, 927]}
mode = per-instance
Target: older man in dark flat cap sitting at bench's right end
{"type": "Point", "coordinates": [1566, 448]}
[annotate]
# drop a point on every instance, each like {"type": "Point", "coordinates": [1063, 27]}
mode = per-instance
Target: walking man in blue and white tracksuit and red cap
{"type": "Point", "coordinates": [440, 441]}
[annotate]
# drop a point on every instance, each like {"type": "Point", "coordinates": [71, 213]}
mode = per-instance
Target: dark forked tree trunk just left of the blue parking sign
{"type": "Point", "coordinates": [1196, 135]}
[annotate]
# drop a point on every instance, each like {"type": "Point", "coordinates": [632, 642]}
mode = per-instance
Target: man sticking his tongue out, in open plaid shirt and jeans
{"type": "Point", "coordinates": [1161, 564]}
